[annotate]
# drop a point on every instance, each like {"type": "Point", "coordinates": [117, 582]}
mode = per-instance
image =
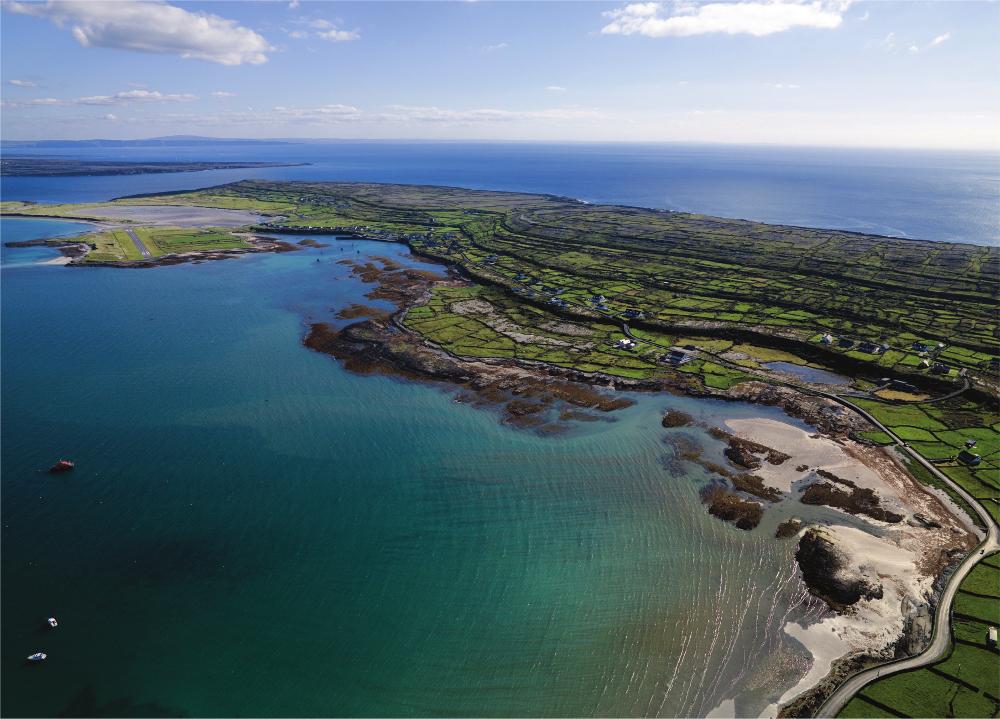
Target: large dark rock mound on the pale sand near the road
{"type": "Point", "coordinates": [829, 574]}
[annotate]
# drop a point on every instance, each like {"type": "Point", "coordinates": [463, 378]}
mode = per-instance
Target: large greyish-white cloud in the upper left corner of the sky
{"type": "Point", "coordinates": [152, 26]}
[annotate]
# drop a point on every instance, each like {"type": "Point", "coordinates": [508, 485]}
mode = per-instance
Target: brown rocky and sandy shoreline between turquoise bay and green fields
{"type": "Point", "coordinates": [543, 397]}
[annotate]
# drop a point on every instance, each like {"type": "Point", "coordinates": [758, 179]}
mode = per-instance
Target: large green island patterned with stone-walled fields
{"type": "Point", "coordinates": [544, 307]}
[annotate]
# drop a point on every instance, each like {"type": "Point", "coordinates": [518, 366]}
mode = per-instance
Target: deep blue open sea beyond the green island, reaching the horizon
{"type": "Point", "coordinates": [924, 195]}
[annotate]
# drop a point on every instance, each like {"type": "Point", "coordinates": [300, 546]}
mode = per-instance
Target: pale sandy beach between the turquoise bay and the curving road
{"type": "Point", "coordinates": [905, 559]}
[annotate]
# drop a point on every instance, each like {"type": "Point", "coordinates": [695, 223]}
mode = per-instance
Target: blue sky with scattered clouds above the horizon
{"type": "Point", "coordinates": [816, 72]}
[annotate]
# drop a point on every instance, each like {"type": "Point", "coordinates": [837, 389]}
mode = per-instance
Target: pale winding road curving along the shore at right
{"type": "Point", "coordinates": [941, 636]}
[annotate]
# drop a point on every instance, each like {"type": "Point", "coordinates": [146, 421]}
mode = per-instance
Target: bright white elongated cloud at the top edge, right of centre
{"type": "Point", "coordinates": [732, 18]}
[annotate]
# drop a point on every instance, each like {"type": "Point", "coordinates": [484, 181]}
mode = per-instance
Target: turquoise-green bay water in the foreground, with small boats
{"type": "Point", "coordinates": [253, 531]}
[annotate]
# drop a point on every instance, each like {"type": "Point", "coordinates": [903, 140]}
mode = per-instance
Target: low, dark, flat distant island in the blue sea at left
{"type": "Point", "coordinates": [61, 167]}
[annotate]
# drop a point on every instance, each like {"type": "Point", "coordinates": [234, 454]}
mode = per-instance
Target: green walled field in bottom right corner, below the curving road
{"type": "Point", "coordinates": [966, 683]}
